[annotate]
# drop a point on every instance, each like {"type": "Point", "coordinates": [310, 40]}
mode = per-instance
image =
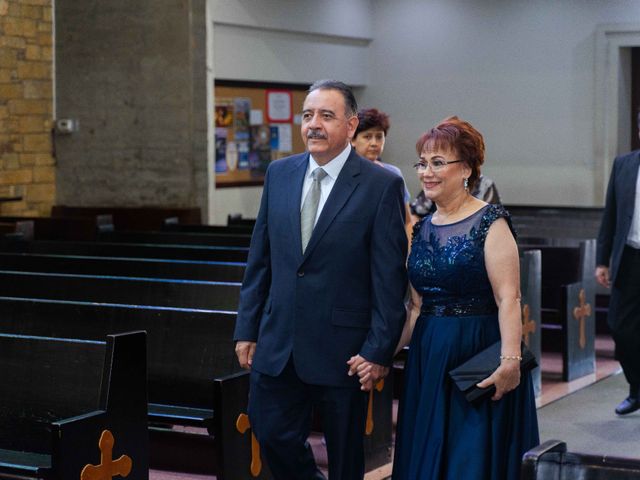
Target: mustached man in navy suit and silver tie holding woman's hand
{"type": "Point", "coordinates": [325, 281]}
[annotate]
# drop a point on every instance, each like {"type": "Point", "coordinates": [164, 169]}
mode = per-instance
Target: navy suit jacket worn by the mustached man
{"type": "Point", "coordinates": [345, 294]}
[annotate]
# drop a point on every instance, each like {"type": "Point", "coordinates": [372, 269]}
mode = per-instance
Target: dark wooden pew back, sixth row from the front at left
{"type": "Point", "coordinates": [178, 238]}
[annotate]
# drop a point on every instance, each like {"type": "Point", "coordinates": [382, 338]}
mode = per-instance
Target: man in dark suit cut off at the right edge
{"type": "Point", "coordinates": [618, 266]}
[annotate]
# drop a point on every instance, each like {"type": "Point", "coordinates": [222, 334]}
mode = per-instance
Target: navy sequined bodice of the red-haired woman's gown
{"type": "Point", "coordinates": [446, 264]}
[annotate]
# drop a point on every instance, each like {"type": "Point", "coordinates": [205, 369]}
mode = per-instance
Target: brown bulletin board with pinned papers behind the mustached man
{"type": "Point", "coordinates": [255, 124]}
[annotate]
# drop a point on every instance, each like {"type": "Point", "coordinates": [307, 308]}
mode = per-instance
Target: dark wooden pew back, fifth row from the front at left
{"type": "Point", "coordinates": [130, 250]}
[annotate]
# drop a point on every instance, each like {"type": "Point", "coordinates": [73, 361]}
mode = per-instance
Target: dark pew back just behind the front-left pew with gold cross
{"type": "Point", "coordinates": [186, 348]}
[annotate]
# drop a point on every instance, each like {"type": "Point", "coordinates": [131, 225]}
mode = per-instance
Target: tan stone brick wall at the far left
{"type": "Point", "coordinates": [27, 166]}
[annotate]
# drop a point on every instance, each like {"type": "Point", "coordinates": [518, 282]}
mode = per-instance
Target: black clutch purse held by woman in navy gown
{"type": "Point", "coordinates": [481, 366]}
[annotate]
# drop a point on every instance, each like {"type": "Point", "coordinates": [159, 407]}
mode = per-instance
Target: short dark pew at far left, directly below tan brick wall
{"type": "Point", "coordinates": [66, 228]}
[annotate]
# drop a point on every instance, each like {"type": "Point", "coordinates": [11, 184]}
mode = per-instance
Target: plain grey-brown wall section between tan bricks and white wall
{"type": "Point", "coordinates": [133, 74]}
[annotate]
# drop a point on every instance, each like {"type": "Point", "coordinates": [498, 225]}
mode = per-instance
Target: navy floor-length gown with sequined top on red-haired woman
{"type": "Point", "coordinates": [440, 435]}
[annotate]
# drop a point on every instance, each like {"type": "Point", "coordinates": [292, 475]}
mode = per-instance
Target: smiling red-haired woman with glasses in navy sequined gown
{"type": "Point", "coordinates": [464, 271]}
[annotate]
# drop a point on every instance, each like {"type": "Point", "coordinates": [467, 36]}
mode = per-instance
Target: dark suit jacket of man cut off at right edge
{"type": "Point", "coordinates": [618, 212]}
